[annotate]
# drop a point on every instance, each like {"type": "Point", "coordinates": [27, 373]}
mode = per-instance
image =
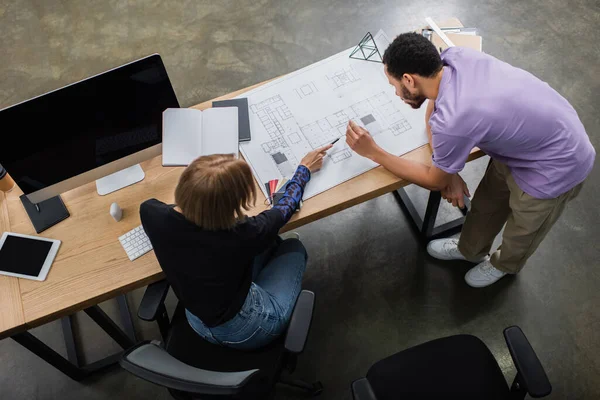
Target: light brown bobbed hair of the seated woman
{"type": "Point", "coordinates": [214, 190]}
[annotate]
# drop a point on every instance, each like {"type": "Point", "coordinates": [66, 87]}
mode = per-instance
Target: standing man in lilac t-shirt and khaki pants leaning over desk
{"type": "Point", "coordinates": [540, 152]}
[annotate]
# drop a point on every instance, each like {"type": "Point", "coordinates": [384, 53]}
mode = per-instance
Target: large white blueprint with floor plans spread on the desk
{"type": "Point", "coordinates": [311, 107]}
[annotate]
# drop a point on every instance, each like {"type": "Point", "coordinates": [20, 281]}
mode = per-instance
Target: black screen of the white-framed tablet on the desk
{"type": "Point", "coordinates": [23, 256]}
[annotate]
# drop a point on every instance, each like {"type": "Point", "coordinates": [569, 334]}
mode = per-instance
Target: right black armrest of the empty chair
{"type": "Point", "coordinates": [531, 374]}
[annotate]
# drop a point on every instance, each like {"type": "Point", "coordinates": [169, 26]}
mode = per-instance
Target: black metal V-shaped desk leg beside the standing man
{"type": "Point", "coordinates": [426, 226]}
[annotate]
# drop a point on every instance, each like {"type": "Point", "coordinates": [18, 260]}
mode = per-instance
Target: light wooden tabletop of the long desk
{"type": "Point", "coordinates": [91, 266]}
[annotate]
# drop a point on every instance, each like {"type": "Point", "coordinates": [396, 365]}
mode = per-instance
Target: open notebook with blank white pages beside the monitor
{"type": "Point", "coordinates": [189, 134]}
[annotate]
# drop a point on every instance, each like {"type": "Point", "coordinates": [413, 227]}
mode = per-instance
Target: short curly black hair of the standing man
{"type": "Point", "coordinates": [412, 53]}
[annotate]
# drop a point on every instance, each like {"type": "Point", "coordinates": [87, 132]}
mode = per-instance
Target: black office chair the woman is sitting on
{"type": "Point", "coordinates": [192, 368]}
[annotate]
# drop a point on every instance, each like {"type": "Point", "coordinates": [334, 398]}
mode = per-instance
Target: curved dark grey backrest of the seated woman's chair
{"type": "Point", "coordinates": [151, 362]}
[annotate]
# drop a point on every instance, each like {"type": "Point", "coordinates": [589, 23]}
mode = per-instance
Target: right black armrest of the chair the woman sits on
{"type": "Point", "coordinates": [297, 332]}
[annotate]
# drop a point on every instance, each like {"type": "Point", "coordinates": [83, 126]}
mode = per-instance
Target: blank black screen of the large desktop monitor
{"type": "Point", "coordinates": [85, 125]}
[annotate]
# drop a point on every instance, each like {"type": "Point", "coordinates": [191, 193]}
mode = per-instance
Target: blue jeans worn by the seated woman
{"type": "Point", "coordinates": [276, 284]}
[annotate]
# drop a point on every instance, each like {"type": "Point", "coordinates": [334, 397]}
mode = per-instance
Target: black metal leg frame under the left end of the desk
{"type": "Point", "coordinates": [72, 366]}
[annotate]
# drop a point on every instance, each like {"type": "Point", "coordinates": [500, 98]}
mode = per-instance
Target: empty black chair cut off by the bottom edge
{"type": "Point", "coordinates": [455, 367]}
